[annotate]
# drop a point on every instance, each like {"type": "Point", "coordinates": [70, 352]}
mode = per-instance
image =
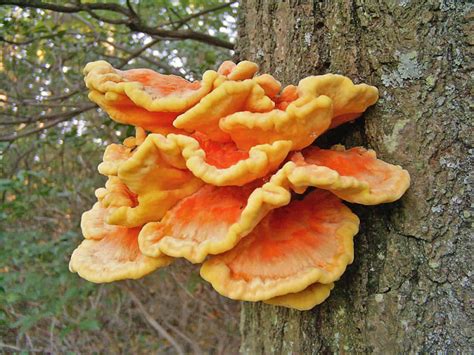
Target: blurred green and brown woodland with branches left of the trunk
{"type": "Point", "coordinates": [51, 141]}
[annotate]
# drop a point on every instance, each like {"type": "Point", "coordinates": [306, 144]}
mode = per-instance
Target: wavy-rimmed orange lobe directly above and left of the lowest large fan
{"type": "Point", "coordinates": [188, 230]}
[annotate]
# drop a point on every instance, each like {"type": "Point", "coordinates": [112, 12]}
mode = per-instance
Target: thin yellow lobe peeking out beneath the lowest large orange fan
{"type": "Point", "coordinates": [304, 300]}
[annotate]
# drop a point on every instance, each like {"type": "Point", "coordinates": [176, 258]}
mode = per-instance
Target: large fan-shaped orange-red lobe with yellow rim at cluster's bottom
{"type": "Point", "coordinates": [293, 247]}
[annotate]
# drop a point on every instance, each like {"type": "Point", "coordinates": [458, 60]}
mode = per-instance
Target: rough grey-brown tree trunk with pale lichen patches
{"type": "Point", "coordinates": [410, 285]}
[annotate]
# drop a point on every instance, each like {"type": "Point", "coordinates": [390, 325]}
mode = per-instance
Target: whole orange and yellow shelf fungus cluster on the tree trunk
{"type": "Point", "coordinates": [223, 172]}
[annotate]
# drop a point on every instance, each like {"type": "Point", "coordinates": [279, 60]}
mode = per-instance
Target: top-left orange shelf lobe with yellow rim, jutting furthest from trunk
{"type": "Point", "coordinates": [142, 97]}
